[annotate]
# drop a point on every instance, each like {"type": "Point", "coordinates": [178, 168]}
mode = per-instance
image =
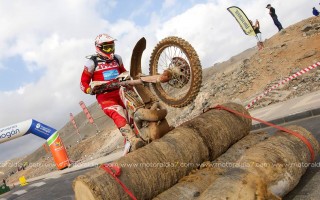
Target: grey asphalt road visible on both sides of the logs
{"type": "Point", "coordinates": [61, 186]}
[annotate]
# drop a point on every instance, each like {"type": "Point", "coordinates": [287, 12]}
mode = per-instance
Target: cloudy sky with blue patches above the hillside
{"type": "Point", "coordinates": [44, 44]}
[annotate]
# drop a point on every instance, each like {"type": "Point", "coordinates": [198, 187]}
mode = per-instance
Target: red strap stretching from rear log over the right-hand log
{"type": "Point", "coordinates": [301, 137]}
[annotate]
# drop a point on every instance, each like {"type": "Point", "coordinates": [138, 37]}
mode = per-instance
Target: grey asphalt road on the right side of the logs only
{"type": "Point", "coordinates": [308, 187]}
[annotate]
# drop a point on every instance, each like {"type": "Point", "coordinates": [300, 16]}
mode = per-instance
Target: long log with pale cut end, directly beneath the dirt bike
{"type": "Point", "coordinates": [159, 165]}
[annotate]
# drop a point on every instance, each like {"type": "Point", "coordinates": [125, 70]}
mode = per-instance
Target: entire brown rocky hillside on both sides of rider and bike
{"type": "Point", "coordinates": [239, 79]}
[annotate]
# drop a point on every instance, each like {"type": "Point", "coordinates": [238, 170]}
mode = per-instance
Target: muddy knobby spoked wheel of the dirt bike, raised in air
{"type": "Point", "coordinates": [178, 56]}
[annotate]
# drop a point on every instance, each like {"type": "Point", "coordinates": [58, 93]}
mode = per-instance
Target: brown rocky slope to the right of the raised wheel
{"type": "Point", "coordinates": [247, 75]}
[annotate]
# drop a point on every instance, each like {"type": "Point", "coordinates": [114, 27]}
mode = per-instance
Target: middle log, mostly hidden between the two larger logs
{"type": "Point", "coordinates": [192, 186]}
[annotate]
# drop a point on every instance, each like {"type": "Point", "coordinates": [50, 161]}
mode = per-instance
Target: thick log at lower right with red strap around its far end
{"type": "Point", "coordinates": [269, 170]}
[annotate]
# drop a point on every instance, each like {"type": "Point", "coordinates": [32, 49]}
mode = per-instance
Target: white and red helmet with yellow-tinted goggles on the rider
{"type": "Point", "coordinates": [105, 46]}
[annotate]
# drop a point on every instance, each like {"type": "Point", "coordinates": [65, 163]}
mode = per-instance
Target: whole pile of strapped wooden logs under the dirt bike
{"type": "Point", "coordinates": [176, 166]}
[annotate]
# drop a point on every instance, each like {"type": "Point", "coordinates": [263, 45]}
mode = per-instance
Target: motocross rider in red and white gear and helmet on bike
{"type": "Point", "coordinates": [106, 66]}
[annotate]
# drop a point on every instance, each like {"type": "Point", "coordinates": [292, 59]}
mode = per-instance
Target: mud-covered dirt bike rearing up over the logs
{"type": "Point", "coordinates": [175, 77]}
